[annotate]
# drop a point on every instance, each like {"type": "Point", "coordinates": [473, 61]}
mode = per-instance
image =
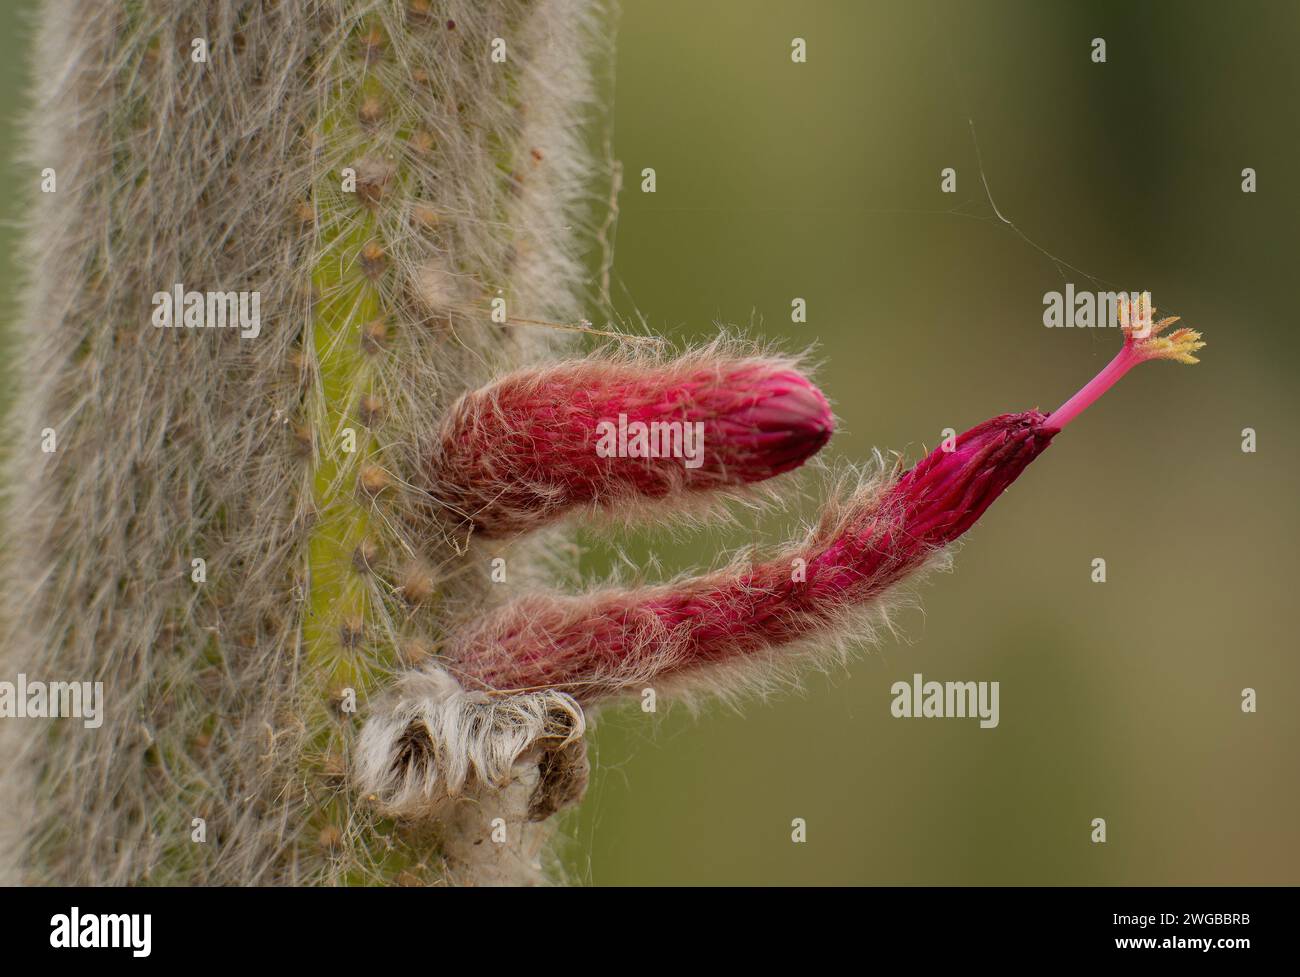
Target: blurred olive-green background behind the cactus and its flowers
{"type": "Point", "coordinates": [822, 181]}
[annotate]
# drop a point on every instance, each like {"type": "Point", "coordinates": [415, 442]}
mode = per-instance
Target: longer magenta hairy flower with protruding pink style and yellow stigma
{"type": "Point", "coordinates": [618, 641]}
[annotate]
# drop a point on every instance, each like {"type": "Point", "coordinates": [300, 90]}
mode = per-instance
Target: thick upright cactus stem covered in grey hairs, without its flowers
{"type": "Point", "coordinates": [219, 533]}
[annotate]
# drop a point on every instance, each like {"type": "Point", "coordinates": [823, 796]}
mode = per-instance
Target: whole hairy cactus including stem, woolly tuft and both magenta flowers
{"type": "Point", "coordinates": [275, 546]}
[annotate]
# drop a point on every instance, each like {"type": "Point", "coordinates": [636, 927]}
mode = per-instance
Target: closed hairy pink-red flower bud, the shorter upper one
{"type": "Point", "coordinates": [603, 435]}
